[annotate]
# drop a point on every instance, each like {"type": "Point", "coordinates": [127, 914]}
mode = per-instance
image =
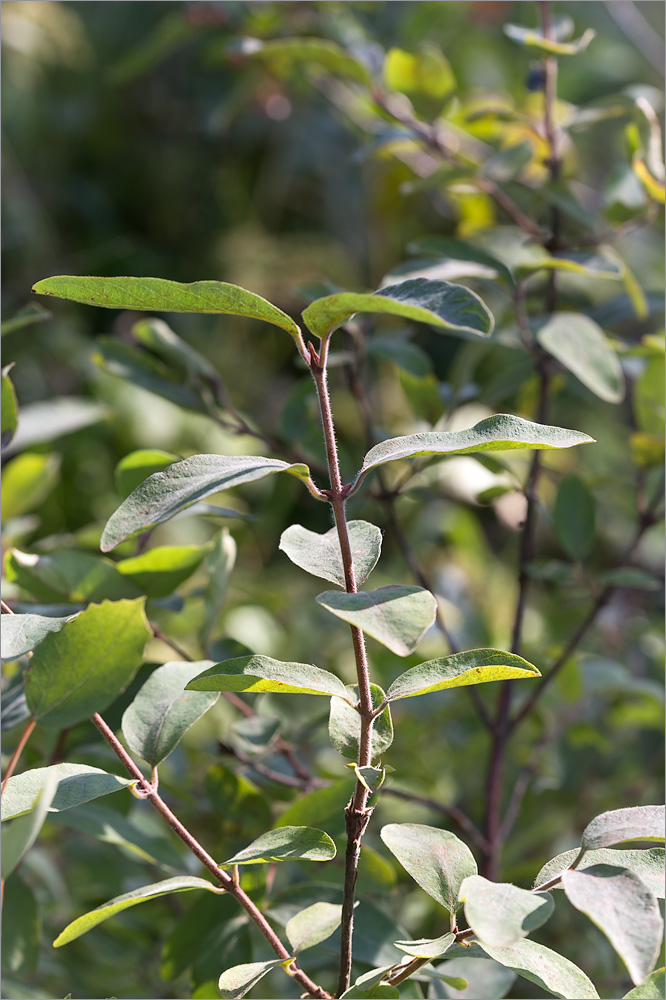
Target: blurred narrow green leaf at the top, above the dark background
{"type": "Point", "coordinates": [283, 54]}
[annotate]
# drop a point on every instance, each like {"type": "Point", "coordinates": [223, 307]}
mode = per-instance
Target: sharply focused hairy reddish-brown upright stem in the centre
{"type": "Point", "coordinates": [357, 814]}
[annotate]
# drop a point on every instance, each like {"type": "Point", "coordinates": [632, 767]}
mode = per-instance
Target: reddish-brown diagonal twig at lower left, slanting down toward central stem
{"type": "Point", "coordinates": [148, 791]}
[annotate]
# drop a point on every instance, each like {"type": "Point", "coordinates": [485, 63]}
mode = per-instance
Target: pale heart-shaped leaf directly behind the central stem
{"type": "Point", "coordinates": [320, 555]}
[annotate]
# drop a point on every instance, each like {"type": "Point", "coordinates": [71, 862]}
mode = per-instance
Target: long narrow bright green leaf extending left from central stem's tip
{"type": "Point", "coordinates": [159, 295]}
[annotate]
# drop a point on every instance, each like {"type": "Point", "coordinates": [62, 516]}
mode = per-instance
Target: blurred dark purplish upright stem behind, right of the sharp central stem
{"type": "Point", "coordinates": [502, 726]}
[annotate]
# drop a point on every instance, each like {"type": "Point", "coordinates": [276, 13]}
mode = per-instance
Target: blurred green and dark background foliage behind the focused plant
{"type": "Point", "coordinates": [140, 138]}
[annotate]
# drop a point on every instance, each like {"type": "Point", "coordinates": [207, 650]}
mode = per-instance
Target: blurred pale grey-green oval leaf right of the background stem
{"type": "Point", "coordinates": [581, 346]}
